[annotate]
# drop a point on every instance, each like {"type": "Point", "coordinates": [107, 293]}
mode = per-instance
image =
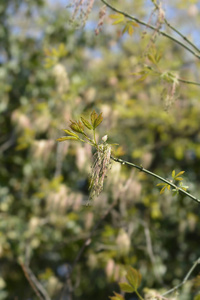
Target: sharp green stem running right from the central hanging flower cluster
{"type": "Point", "coordinates": [123, 162]}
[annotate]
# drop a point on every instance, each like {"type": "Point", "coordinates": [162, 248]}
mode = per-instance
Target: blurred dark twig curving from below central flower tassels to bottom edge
{"type": "Point", "coordinates": [87, 243]}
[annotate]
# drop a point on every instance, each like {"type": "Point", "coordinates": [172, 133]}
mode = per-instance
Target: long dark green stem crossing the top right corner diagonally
{"type": "Point", "coordinates": [151, 27]}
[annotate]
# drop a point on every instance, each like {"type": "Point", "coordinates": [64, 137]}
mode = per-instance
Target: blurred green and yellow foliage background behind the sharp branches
{"type": "Point", "coordinates": [53, 69]}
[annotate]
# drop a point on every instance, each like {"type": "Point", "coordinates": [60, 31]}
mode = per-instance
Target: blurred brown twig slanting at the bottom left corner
{"type": "Point", "coordinates": [34, 283]}
